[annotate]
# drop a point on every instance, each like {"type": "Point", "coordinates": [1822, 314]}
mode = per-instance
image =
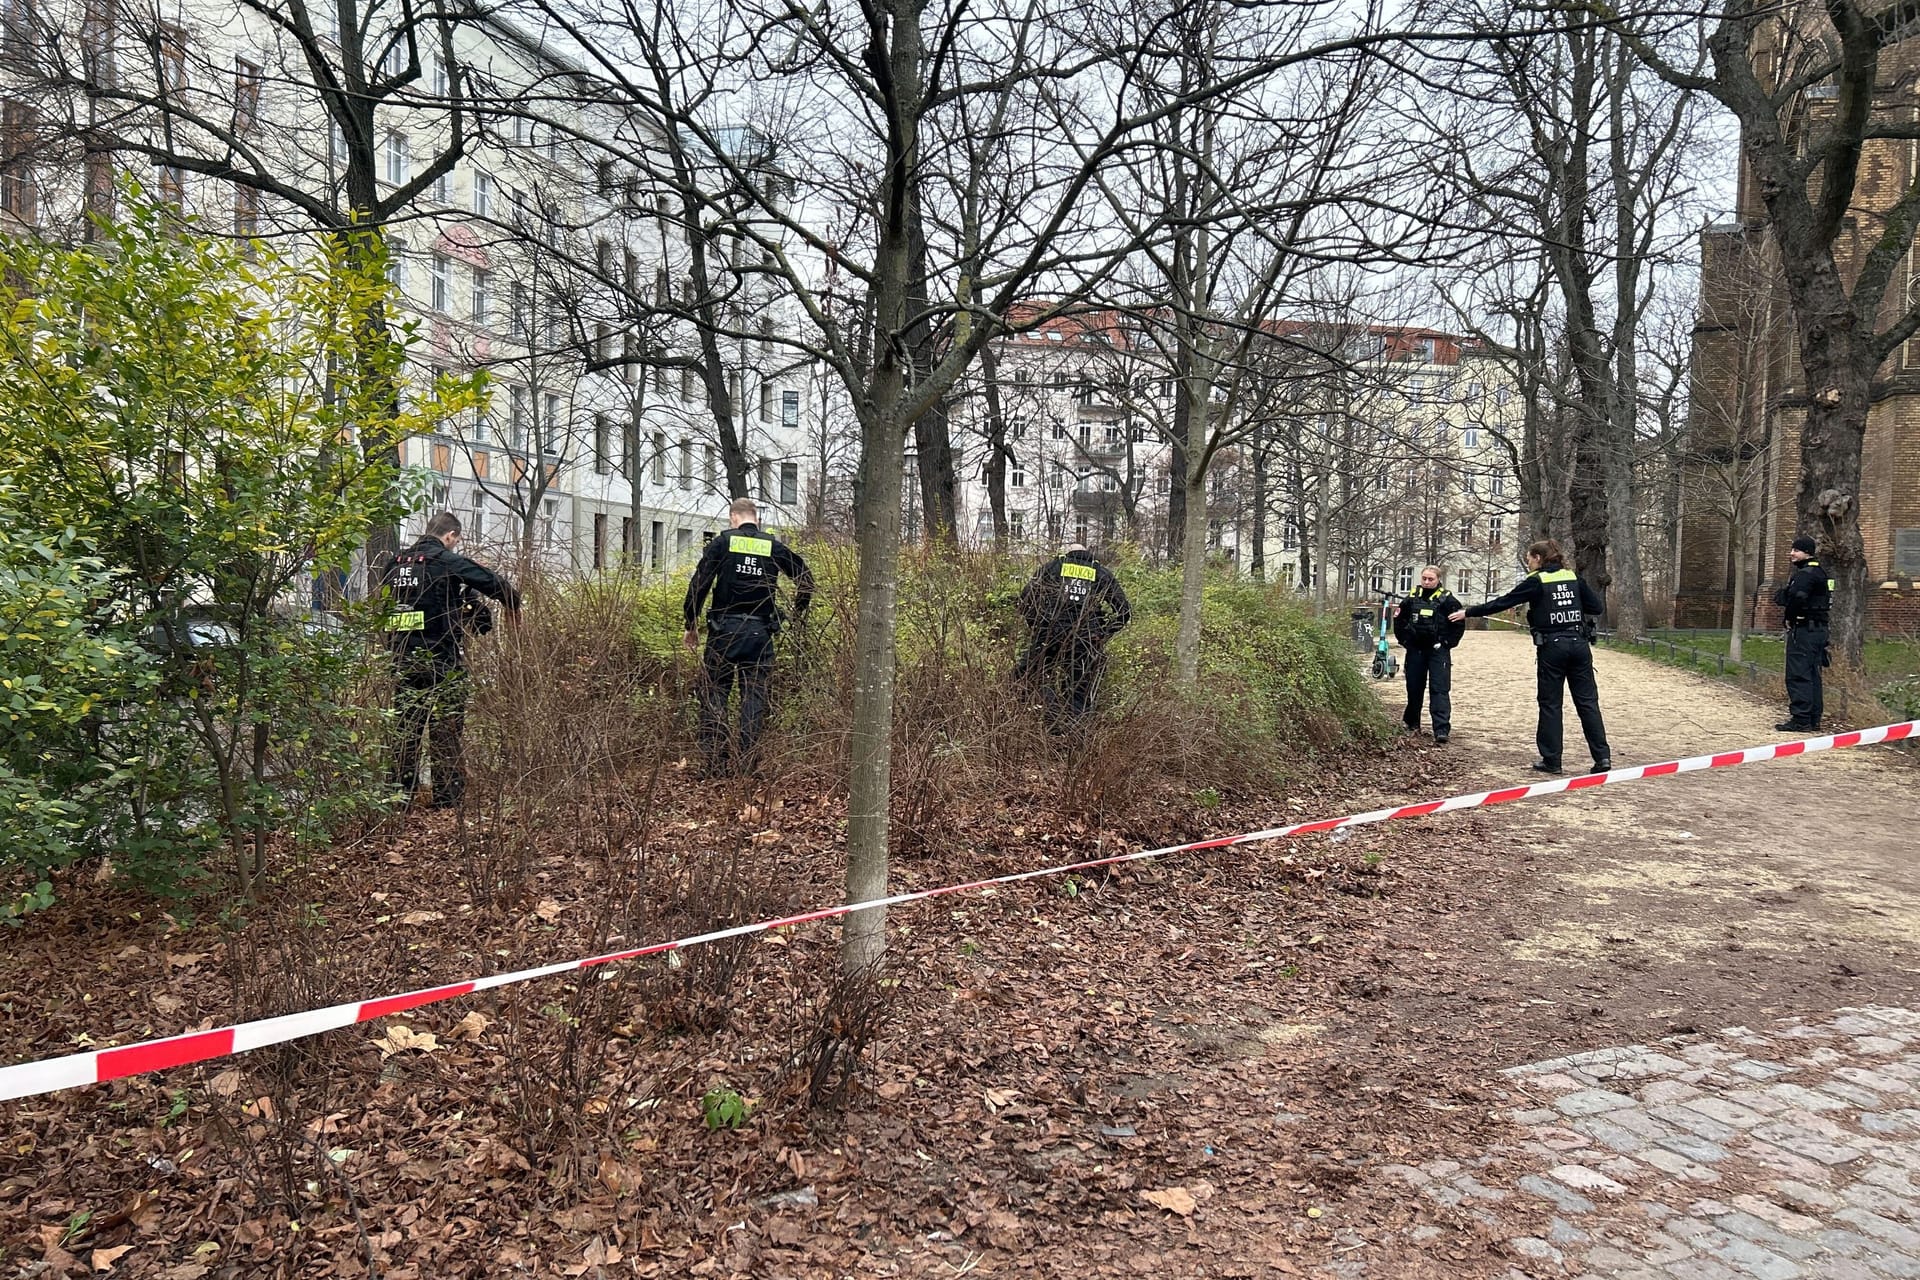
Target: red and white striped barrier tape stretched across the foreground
{"type": "Point", "coordinates": [101, 1066]}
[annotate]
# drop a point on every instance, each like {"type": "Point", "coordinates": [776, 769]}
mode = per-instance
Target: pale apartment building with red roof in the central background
{"type": "Point", "coordinates": [1401, 456]}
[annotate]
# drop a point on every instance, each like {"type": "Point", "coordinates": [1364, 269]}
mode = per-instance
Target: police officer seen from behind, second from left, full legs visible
{"type": "Point", "coordinates": [742, 569]}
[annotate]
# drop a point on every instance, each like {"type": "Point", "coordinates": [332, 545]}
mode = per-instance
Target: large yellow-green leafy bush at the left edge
{"type": "Point", "coordinates": [204, 429]}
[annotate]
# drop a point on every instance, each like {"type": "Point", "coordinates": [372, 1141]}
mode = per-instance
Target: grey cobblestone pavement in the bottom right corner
{"type": "Point", "coordinates": [1750, 1154]}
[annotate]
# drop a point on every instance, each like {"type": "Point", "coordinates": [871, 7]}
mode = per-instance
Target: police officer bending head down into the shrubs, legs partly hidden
{"type": "Point", "coordinates": [1072, 607]}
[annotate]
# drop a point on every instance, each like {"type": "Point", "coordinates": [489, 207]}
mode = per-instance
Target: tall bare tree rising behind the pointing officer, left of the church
{"type": "Point", "coordinates": [1577, 156]}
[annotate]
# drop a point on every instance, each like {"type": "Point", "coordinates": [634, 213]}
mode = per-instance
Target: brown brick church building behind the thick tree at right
{"type": "Point", "coordinates": [1740, 475]}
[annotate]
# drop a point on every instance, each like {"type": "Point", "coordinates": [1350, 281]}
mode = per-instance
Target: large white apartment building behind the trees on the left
{"type": "Point", "coordinates": [539, 256]}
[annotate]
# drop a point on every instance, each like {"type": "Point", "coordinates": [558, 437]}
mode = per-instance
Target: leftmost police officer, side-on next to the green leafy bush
{"type": "Point", "coordinates": [433, 600]}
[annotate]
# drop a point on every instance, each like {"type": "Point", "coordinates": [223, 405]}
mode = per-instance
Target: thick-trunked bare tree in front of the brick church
{"type": "Point", "coordinates": [1842, 256]}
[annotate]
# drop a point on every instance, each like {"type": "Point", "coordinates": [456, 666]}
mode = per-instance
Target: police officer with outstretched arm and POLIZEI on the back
{"type": "Point", "coordinates": [1558, 607]}
